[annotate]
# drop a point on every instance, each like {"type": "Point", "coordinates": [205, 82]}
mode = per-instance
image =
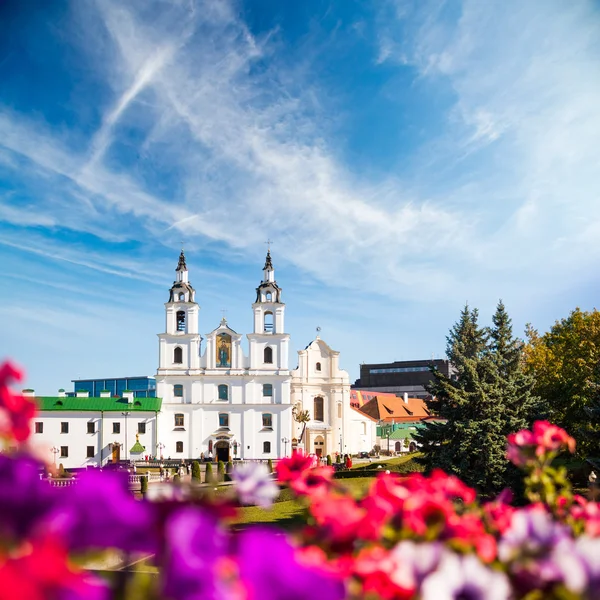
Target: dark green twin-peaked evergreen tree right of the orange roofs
{"type": "Point", "coordinates": [486, 398]}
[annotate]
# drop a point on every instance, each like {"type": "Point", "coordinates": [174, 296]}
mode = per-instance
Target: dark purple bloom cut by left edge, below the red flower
{"type": "Point", "coordinates": [24, 498]}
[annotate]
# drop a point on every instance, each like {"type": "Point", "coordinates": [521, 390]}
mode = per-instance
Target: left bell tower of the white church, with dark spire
{"type": "Point", "coordinates": [179, 345]}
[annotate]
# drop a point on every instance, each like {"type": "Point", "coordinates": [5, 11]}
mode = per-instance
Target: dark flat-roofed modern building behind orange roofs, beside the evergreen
{"type": "Point", "coordinates": [410, 377]}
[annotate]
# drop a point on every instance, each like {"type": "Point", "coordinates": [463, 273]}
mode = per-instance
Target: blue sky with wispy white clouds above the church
{"type": "Point", "coordinates": [404, 157]}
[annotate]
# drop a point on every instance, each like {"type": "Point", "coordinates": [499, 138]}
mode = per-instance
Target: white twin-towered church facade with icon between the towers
{"type": "Point", "coordinates": [220, 402]}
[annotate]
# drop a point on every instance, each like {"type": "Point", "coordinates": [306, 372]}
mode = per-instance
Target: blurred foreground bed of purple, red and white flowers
{"type": "Point", "coordinates": [409, 536]}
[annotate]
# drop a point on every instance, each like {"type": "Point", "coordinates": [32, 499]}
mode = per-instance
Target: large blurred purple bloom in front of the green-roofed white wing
{"type": "Point", "coordinates": [99, 511]}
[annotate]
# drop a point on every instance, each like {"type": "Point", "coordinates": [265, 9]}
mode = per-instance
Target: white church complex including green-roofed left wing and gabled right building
{"type": "Point", "coordinates": [217, 401]}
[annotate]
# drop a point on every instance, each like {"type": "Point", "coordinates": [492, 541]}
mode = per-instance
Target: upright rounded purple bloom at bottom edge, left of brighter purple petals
{"type": "Point", "coordinates": [195, 559]}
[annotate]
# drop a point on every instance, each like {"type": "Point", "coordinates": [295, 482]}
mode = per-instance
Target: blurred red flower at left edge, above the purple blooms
{"type": "Point", "coordinates": [18, 410]}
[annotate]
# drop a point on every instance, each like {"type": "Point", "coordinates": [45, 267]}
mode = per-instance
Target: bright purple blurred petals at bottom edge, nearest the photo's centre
{"type": "Point", "coordinates": [270, 570]}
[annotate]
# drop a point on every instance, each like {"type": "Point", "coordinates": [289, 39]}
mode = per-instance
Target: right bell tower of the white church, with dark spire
{"type": "Point", "coordinates": [268, 342]}
